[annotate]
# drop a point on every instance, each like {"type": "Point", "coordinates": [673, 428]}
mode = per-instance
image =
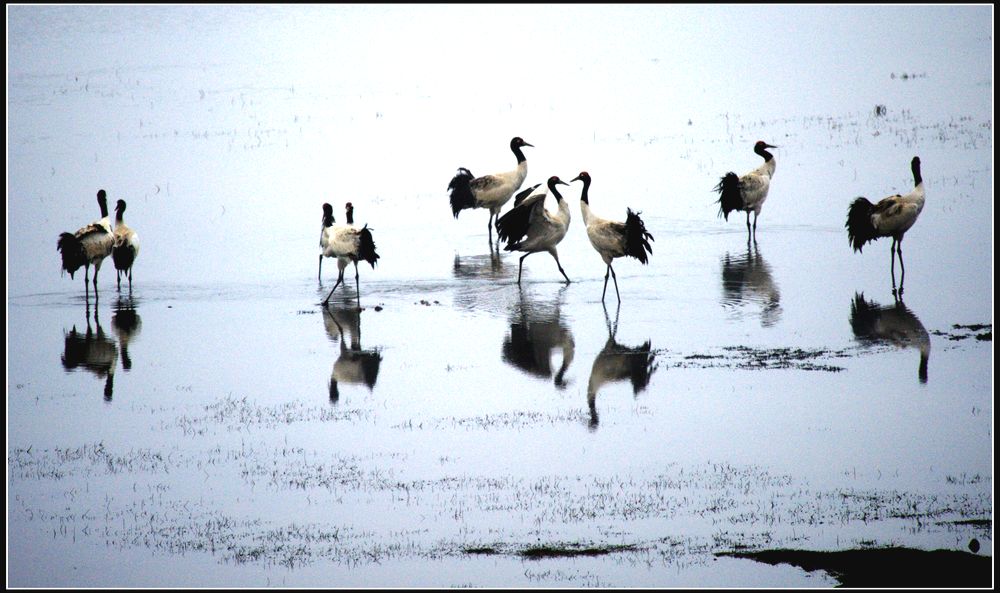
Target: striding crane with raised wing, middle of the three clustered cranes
{"type": "Point", "coordinates": [529, 227]}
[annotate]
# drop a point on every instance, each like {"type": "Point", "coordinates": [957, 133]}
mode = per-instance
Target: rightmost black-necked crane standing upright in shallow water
{"type": "Point", "coordinates": [891, 217]}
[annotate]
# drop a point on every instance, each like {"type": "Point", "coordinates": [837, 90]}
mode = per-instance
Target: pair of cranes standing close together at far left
{"type": "Point", "coordinates": [91, 244]}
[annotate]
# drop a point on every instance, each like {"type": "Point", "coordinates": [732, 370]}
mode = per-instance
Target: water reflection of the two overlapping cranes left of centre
{"type": "Point", "coordinates": [354, 365]}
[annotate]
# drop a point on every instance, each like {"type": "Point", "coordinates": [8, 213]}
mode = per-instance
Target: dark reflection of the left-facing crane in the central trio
{"type": "Point", "coordinates": [616, 362]}
